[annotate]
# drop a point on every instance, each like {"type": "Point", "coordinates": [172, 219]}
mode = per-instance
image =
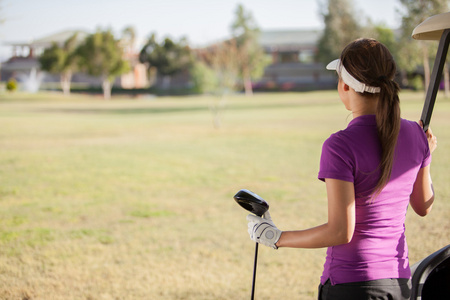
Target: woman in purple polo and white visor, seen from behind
{"type": "Point", "coordinates": [372, 170]}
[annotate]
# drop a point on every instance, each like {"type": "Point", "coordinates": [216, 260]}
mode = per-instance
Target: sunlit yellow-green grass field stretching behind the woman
{"type": "Point", "coordinates": [132, 198]}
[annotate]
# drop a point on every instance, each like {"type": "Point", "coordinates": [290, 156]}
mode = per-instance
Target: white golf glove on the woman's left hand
{"type": "Point", "coordinates": [263, 230]}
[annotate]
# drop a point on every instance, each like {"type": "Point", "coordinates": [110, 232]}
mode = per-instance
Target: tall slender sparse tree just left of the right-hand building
{"type": "Point", "coordinates": [250, 54]}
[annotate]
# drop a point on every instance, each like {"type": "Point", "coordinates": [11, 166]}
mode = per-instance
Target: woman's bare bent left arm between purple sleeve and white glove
{"type": "Point", "coordinates": [341, 220]}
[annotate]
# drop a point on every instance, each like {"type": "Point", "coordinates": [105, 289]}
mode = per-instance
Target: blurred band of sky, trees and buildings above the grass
{"type": "Point", "coordinates": [180, 47]}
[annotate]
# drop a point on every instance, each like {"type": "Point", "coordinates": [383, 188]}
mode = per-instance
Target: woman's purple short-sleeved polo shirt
{"type": "Point", "coordinates": [378, 248]}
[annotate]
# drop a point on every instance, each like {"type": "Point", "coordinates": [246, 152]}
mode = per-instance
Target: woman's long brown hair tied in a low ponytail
{"type": "Point", "coordinates": [370, 62]}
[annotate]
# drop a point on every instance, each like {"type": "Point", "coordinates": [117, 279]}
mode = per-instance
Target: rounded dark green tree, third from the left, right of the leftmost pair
{"type": "Point", "coordinates": [167, 58]}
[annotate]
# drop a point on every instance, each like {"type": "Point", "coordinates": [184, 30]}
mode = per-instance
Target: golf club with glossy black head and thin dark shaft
{"type": "Point", "coordinates": [258, 206]}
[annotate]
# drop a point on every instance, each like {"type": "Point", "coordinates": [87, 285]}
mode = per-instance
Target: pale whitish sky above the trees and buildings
{"type": "Point", "coordinates": [200, 21]}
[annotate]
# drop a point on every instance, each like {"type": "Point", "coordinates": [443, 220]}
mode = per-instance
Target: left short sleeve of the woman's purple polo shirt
{"type": "Point", "coordinates": [336, 161]}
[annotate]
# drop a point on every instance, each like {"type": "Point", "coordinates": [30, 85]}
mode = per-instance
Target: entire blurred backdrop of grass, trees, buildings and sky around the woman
{"type": "Point", "coordinates": [128, 126]}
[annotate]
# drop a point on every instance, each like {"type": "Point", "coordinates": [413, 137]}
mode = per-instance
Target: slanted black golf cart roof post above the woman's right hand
{"type": "Point", "coordinates": [433, 88]}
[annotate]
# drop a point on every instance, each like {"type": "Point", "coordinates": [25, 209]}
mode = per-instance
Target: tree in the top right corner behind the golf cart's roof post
{"type": "Point", "coordinates": [414, 53]}
